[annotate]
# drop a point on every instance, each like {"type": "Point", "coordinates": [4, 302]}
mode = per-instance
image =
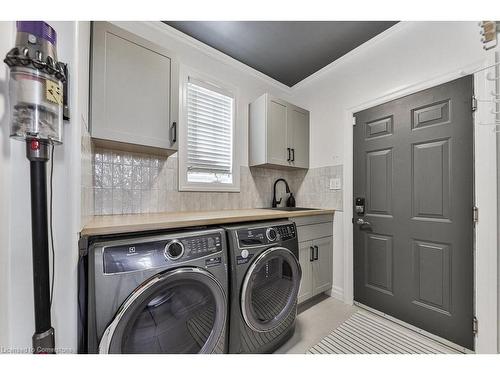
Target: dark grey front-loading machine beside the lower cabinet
{"type": "Point", "coordinates": [265, 278]}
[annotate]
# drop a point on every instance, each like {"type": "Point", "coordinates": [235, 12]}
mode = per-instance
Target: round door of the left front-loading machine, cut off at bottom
{"type": "Point", "coordinates": [181, 311]}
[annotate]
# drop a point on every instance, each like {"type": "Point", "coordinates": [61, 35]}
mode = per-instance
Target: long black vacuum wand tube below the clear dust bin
{"type": "Point", "coordinates": [43, 338]}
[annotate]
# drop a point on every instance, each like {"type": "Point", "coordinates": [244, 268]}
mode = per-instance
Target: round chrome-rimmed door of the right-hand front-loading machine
{"type": "Point", "coordinates": [270, 289]}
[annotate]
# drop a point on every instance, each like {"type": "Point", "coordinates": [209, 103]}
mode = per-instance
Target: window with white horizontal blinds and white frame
{"type": "Point", "coordinates": [206, 154]}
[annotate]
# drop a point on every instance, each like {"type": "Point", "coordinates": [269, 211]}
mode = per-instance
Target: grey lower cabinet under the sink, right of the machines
{"type": "Point", "coordinates": [315, 257]}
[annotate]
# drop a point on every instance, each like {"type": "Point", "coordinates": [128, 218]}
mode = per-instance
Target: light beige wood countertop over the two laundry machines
{"type": "Point", "coordinates": [113, 224]}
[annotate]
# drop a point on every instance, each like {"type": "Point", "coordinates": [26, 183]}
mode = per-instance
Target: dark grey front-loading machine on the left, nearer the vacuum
{"type": "Point", "coordinates": [164, 293]}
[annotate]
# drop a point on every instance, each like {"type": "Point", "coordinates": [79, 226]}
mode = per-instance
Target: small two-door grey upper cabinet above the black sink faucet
{"type": "Point", "coordinates": [278, 134]}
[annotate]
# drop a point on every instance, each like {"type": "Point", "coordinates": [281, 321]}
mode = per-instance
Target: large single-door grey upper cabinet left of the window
{"type": "Point", "coordinates": [134, 91]}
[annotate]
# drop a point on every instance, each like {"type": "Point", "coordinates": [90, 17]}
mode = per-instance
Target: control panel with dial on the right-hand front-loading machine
{"type": "Point", "coordinates": [266, 235]}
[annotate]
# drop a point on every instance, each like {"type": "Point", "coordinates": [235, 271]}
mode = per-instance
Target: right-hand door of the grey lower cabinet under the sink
{"type": "Point", "coordinates": [322, 267]}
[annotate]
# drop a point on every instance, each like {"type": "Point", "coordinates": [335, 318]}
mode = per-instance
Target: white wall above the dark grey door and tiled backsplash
{"type": "Point", "coordinates": [408, 53]}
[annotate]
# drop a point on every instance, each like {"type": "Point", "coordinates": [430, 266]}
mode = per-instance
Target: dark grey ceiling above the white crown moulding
{"type": "Point", "coordinates": [287, 51]}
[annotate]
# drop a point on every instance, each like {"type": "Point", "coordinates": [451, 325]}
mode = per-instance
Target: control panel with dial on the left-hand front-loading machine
{"type": "Point", "coordinates": [146, 255]}
